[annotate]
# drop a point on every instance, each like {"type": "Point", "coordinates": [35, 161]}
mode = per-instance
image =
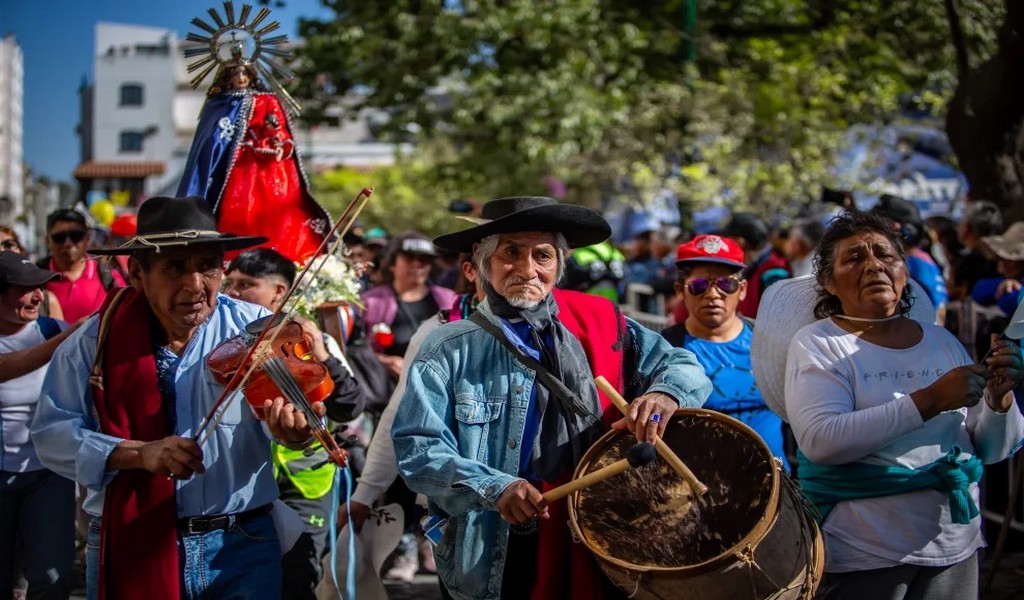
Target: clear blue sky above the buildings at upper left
{"type": "Point", "coordinates": [57, 38]}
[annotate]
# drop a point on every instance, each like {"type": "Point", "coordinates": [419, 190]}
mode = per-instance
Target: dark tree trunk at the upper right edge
{"type": "Point", "coordinates": [986, 121]}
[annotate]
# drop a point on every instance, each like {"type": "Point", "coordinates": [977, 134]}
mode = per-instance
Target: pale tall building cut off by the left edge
{"type": "Point", "coordinates": [12, 111]}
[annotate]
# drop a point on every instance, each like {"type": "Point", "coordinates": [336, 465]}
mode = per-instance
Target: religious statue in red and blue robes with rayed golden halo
{"type": "Point", "coordinates": [243, 158]}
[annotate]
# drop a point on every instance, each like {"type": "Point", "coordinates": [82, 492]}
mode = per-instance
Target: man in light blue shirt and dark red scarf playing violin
{"type": "Point", "coordinates": [119, 413]}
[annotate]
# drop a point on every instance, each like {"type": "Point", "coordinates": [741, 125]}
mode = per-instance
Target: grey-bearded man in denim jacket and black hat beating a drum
{"type": "Point", "coordinates": [503, 405]}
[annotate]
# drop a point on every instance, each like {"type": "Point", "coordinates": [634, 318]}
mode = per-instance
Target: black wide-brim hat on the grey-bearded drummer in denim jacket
{"type": "Point", "coordinates": [581, 227]}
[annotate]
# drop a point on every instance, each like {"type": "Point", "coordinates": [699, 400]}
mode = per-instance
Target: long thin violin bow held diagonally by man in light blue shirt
{"type": "Point", "coordinates": [346, 223]}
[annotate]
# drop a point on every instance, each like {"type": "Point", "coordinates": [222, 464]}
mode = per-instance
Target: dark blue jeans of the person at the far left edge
{"type": "Point", "coordinates": [37, 533]}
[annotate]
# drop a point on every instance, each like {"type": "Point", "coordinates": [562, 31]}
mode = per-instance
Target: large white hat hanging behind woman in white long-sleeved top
{"type": "Point", "coordinates": [786, 308]}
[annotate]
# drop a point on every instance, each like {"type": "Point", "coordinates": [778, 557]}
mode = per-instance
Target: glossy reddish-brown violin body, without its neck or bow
{"type": "Point", "coordinates": [290, 353]}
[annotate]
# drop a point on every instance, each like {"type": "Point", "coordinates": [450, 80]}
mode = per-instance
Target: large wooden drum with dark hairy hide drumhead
{"type": "Point", "coordinates": [752, 536]}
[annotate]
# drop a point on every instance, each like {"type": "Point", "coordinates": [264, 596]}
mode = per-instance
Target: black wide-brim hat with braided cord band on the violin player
{"type": "Point", "coordinates": [179, 223]}
